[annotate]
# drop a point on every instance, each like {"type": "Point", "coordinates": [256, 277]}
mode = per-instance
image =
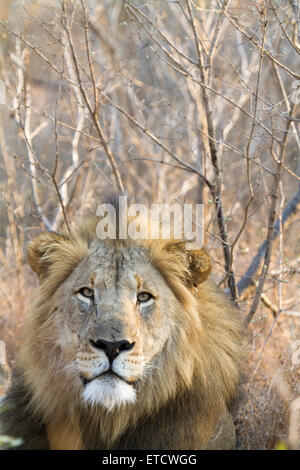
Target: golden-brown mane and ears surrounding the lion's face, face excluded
{"type": "Point", "coordinates": [197, 371]}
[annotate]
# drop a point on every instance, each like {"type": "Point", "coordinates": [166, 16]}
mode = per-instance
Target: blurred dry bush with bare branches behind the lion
{"type": "Point", "coordinates": [171, 101]}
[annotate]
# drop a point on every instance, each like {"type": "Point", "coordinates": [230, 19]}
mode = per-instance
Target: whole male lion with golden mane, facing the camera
{"type": "Point", "coordinates": [128, 345]}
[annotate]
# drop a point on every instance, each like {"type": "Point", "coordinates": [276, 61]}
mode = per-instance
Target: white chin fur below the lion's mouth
{"type": "Point", "coordinates": [108, 392]}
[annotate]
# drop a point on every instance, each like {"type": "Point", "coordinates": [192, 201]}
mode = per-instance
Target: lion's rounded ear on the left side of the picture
{"type": "Point", "coordinates": [41, 251]}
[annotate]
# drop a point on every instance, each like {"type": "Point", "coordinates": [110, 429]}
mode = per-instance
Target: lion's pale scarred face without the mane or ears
{"type": "Point", "coordinates": [116, 311]}
